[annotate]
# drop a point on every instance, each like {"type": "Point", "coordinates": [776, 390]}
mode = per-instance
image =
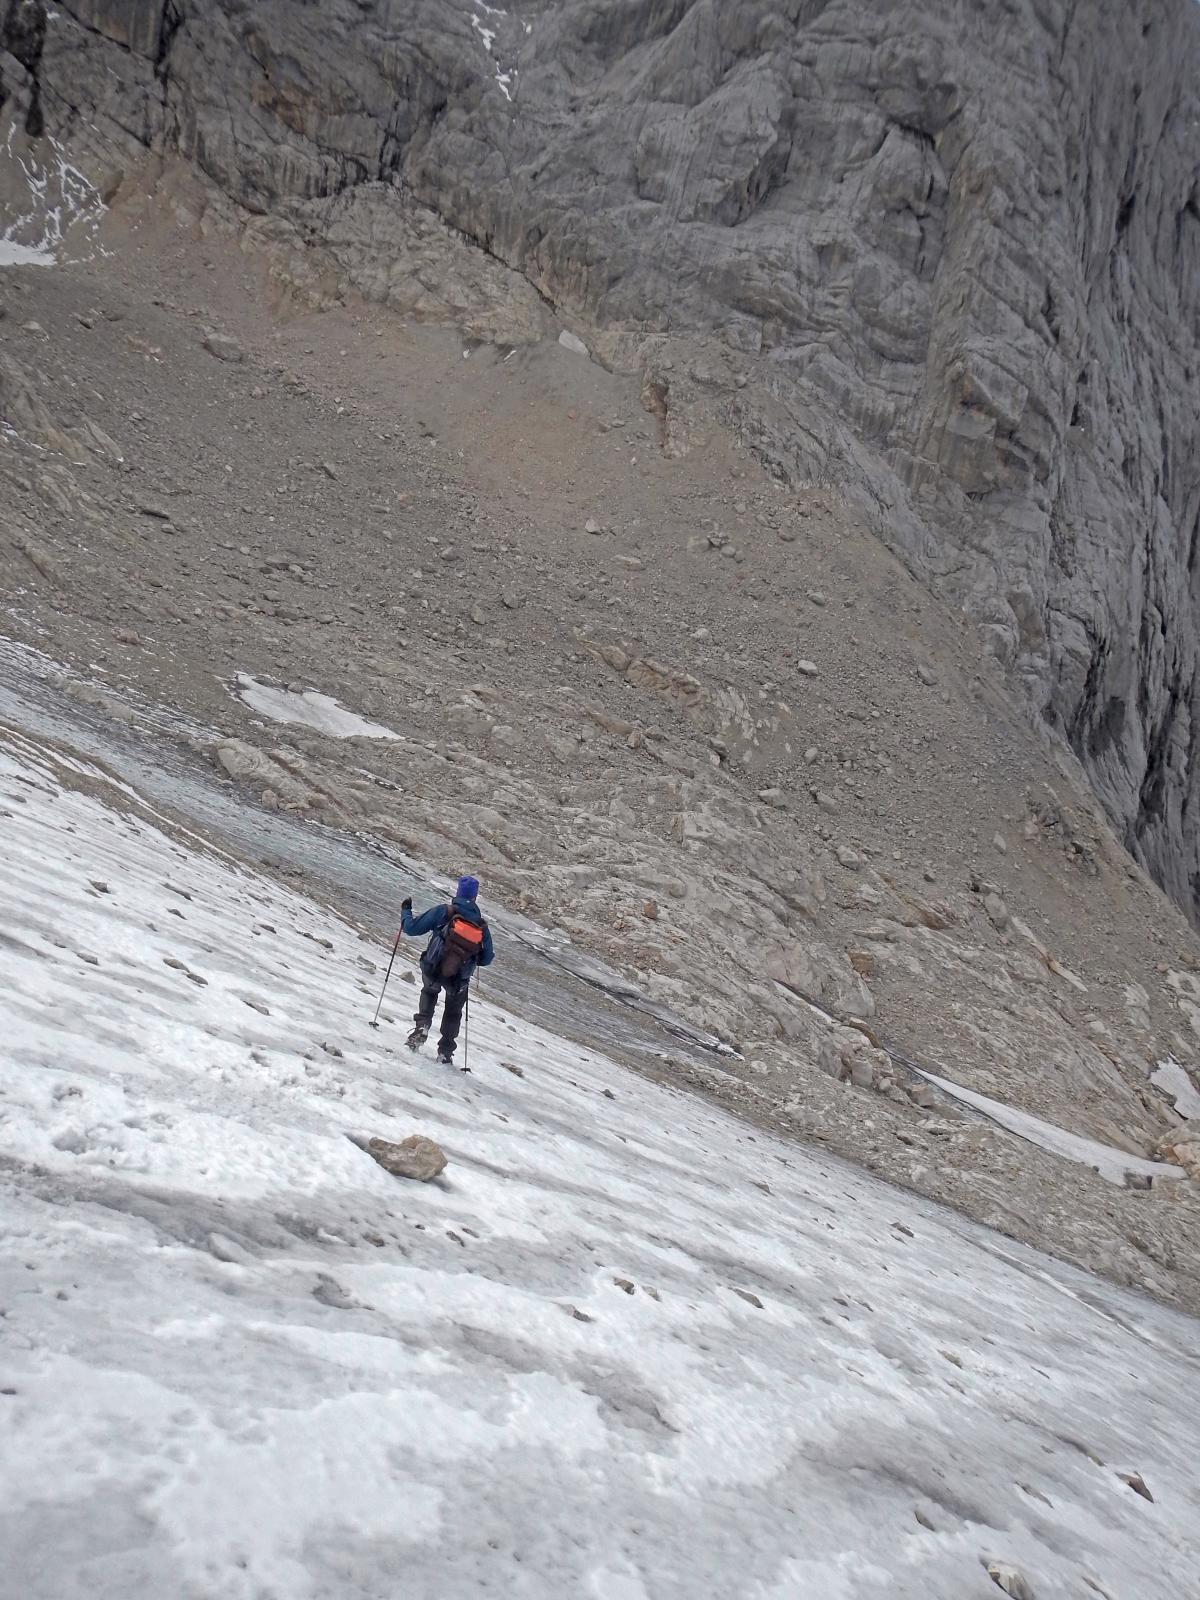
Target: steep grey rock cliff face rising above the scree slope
{"type": "Point", "coordinates": [948, 257]}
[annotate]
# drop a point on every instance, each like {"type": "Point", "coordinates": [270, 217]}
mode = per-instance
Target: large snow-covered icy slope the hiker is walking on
{"type": "Point", "coordinates": [242, 1362]}
